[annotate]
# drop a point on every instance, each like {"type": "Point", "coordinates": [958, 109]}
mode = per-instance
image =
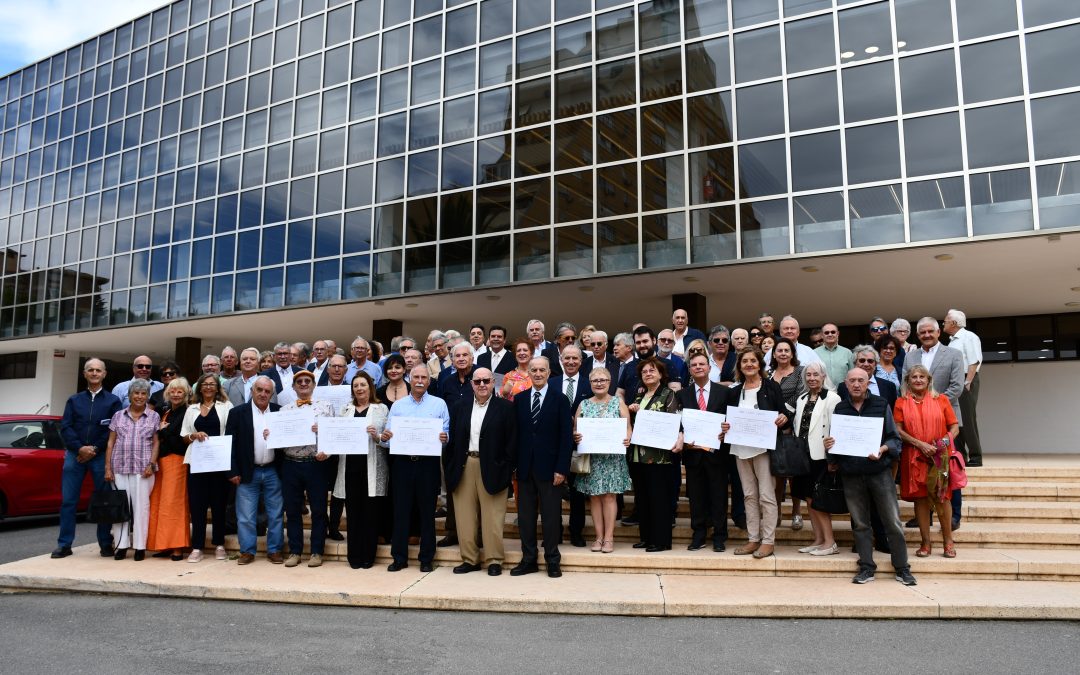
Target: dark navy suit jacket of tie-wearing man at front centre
{"type": "Point", "coordinates": [544, 449]}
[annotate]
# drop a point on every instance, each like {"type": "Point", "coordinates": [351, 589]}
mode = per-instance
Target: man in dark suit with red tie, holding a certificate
{"type": "Point", "coordinates": [707, 470]}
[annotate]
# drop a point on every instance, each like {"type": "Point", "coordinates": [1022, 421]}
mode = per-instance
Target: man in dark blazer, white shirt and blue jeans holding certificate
{"type": "Point", "coordinates": [254, 472]}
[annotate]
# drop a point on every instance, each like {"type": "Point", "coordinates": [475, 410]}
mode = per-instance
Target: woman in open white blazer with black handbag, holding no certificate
{"type": "Point", "coordinates": [814, 414]}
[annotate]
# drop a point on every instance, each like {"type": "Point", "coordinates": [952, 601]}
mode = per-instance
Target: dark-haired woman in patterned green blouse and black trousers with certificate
{"type": "Point", "coordinates": [655, 465]}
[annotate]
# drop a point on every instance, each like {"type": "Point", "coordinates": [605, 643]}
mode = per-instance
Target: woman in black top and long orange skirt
{"type": "Point", "coordinates": [170, 534]}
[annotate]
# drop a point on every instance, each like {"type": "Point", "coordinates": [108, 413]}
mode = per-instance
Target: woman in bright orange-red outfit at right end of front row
{"type": "Point", "coordinates": [927, 425]}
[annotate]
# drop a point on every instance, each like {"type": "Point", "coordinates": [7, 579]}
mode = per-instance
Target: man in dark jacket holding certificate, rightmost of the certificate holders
{"type": "Point", "coordinates": [865, 463]}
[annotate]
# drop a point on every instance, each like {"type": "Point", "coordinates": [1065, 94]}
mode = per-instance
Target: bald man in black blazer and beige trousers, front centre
{"type": "Point", "coordinates": [478, 464]}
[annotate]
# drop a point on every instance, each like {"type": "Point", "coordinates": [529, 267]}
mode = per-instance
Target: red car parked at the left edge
{"type": "Point", "coordinates": [32, 462]}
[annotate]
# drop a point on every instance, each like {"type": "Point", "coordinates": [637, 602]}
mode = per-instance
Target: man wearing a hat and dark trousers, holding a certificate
{"type": "Point", "coordinates": [304, 475]}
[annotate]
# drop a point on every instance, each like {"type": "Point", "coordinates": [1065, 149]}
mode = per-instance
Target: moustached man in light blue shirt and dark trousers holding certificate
{"type": "Point", "coordinates": [415, 471]}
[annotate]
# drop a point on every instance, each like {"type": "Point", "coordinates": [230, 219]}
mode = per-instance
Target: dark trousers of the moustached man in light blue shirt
{"type": "Point", "coordinates": [415, 487]}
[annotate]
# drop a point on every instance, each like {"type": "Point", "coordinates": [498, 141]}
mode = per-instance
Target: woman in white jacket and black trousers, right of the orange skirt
{"type": "Point", "coordinates": [206, 417]}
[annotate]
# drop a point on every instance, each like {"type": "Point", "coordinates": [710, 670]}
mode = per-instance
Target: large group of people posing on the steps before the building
{"type": "Point", "coordinates": [509, 414]}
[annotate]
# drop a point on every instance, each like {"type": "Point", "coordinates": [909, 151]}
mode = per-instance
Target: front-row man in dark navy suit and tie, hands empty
{"type": "Point", "coordinates": [545, 439]}
